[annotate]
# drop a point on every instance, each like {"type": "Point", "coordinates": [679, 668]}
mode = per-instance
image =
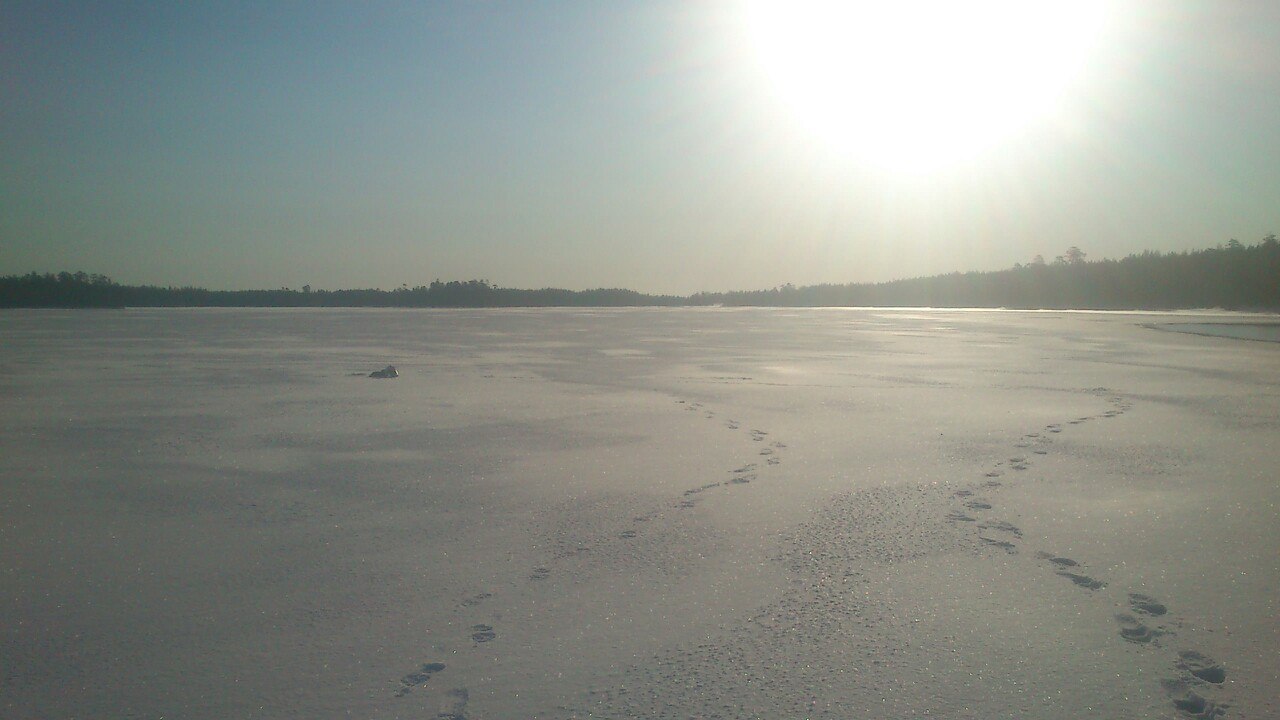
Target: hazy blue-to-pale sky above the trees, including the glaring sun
{"type": "Point", "coordinates": [660, 147]}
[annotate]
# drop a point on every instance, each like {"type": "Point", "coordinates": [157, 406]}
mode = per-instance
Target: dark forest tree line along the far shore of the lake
{"type": "Point", "coordinates": [1233, 276]}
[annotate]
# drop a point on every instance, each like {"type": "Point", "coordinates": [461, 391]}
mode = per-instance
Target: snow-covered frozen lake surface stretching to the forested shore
{"type": "Point", "coordinates": [676, 513]}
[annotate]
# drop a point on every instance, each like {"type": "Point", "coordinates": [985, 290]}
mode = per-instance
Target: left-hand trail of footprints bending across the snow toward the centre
{"type": "Point", "coordinates": [770, 455]}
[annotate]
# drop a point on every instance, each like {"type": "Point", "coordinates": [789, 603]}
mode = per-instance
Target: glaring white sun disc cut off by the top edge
{"type": "Point", "coordinates": [915, 86]}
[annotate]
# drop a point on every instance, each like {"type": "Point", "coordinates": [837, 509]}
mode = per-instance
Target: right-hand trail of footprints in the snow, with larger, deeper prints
{"type": "Point", "coordinates": [1146, 619]}
